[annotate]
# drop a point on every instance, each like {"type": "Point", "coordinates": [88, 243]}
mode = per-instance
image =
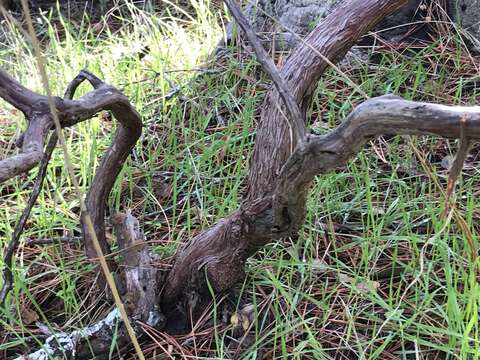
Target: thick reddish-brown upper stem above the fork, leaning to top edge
{"type": "Point", "coordinates": [332, 38]}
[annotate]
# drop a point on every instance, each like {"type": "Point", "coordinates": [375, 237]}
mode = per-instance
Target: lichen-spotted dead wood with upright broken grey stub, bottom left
{"type": "Point", "coordinates": [140, 299]}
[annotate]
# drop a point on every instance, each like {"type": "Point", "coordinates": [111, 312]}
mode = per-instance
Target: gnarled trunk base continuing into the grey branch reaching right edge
{"type": "Point", "coordinates": [221, 251]}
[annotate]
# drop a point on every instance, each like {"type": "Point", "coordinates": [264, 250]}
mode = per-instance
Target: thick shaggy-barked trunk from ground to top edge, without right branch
{"type": "Point", "coordinates": [220, 253]}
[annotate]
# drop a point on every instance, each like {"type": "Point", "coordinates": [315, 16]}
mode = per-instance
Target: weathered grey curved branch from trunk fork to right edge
{"type": "Point", "coordinates": [375, 117]}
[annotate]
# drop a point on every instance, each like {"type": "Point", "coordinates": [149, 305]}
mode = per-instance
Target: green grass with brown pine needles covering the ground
{"type": "Point", "coordinates": [339, 291]}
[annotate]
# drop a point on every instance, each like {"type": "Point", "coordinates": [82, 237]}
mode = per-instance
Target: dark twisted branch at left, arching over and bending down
{"type": "Point", "coordinates": [70, 112]}
